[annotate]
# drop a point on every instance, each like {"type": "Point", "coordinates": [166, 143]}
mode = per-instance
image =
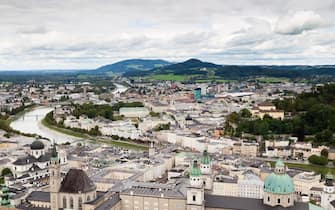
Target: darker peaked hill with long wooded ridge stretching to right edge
{"type": "Point", "coordinates": [200, 70]}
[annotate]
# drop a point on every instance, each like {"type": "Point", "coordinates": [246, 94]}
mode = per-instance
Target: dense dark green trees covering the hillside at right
{"type": "Point", "coordinates": [313, 115]}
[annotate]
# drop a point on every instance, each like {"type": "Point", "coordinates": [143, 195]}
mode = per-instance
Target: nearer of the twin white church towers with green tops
{"type": "Point", "coordinates": [195, 191]}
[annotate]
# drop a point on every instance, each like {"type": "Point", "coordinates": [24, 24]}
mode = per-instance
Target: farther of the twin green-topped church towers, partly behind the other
{"type": "Point", "coordinates": [206, 170]}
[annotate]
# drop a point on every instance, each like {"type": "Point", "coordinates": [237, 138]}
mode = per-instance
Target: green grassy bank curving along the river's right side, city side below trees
{"type": "Point", "coordinates": [123, 144]}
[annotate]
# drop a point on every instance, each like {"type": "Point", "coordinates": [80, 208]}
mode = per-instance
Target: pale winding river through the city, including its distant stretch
{"type": "Point", "coordinates": [30, 122]}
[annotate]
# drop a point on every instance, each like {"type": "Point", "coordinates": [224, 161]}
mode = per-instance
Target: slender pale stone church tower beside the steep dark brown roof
{"type": "Point", "coordinates": [55, 179]}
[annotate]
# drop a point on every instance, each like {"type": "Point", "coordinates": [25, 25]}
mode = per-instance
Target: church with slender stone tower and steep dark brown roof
{"type": "Point", "coordinates": [76, 191]}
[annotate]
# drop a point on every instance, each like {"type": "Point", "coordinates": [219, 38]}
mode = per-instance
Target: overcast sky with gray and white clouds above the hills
{"type": "Point", "coordinates": [85, 34]}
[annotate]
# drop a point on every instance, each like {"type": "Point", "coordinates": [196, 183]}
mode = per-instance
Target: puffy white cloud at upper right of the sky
{"type": "Point", "coordinates": [298, 22]}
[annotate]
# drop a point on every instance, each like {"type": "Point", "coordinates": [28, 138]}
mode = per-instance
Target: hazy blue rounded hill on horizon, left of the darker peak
{"type": "Point", "coordinates": [133, 65]}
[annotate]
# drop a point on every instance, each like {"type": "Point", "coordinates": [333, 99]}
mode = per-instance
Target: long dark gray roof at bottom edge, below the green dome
{"type": "Point", "coordinates": [227, 202]}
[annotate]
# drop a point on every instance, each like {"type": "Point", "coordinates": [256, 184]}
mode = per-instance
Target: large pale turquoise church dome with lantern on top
{"type": "Point", "coordinates": [279, 182]}
